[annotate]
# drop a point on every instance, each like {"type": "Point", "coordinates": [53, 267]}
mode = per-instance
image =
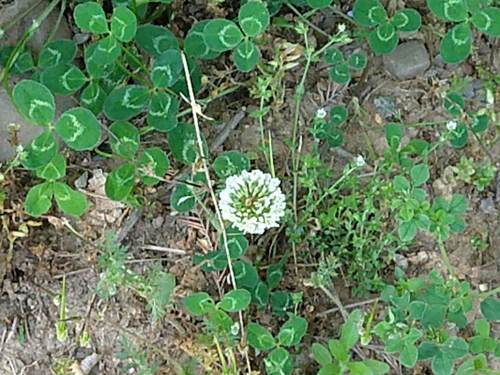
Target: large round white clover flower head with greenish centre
{"type": "Point", "coordinates": [252, 201]}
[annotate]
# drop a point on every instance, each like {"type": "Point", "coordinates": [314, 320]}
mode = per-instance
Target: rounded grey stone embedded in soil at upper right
{"type": "Point", "coordinates": [408, 60]}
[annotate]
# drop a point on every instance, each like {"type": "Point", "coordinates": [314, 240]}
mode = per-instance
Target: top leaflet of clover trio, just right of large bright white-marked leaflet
{"type": "Point", "coordinates": [124, 139]}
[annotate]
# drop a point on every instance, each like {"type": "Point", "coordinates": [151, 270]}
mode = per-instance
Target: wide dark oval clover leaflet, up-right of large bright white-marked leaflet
{"type": "Point", "coordinates": [126, 102]}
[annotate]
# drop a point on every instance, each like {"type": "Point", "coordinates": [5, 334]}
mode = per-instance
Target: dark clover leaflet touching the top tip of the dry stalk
{"type": "Point", "coordinates": [155, 40]}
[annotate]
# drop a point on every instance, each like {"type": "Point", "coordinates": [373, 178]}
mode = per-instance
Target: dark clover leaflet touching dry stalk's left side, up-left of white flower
{"type": "Point", "coordinates": [183, 144]}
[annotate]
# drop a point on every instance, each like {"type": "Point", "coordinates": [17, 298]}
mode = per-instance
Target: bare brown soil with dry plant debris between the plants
{"type": "Point", "coordinates": [31, 271]}
